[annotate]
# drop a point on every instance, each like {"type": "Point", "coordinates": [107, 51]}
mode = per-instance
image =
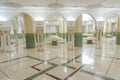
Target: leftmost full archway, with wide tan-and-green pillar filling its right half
{"type": "Point", "coordinates": [23, 23]}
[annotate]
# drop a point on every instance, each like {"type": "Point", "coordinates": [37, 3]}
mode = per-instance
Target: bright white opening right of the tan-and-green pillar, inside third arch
{"type": "Point", "coordinates": [88, 29]}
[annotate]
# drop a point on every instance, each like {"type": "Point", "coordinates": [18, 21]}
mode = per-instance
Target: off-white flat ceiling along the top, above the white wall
{"type": "Point", "coordinates": [66, 3]}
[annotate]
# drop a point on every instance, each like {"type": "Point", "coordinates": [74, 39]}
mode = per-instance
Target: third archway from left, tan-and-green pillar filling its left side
{"type": "Point", "coordinates": [84, 29]}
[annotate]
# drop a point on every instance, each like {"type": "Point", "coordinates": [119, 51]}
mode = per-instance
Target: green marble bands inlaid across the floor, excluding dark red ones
{"type": "Point", "coordinates": [55, 65]}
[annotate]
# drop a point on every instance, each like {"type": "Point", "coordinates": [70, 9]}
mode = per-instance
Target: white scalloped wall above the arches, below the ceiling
{"type": "Point", "coordinates": [70, 14]}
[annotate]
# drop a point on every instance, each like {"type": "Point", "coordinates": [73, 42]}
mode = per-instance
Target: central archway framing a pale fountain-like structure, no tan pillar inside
{"type": "Point", "coordinates": [55, 29]}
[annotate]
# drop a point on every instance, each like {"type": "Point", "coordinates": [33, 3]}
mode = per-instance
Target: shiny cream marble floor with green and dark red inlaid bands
{"type": "Point", "coordinates": [60, 63]}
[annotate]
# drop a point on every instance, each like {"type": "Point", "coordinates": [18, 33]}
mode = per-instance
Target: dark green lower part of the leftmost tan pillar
{"type": "Point", "coordinates": [30, 40]}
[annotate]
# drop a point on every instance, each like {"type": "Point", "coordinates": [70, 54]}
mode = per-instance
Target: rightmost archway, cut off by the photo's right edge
{"type": "Point", "coordinates": [111, 28]}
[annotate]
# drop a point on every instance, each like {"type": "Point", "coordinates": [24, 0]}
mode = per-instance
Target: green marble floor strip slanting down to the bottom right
{"type": "Point", "coordinates": [97, 75]}
